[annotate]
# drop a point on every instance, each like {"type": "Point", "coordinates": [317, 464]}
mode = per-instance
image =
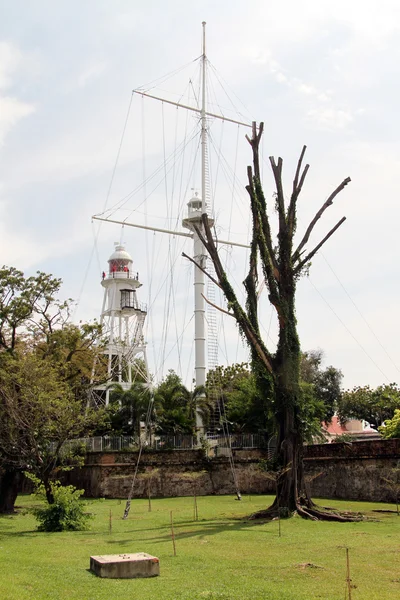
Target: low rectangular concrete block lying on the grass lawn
{"type": "Point", "coordinates": [125, 566]}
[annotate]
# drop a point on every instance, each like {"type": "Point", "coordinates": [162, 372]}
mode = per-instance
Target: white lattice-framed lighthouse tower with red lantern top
{"type": "Point", "coordinates": [122, 317]}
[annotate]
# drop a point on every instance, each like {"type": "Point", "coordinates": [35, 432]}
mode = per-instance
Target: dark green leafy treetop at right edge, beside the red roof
{"type": "Point", "coordinates": [372, 405]}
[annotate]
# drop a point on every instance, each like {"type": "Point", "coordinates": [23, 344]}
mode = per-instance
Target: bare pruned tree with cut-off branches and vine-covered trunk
{"type": "Point", "coordinates": [281, 265]}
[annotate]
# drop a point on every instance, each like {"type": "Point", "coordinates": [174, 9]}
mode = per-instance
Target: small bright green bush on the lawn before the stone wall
{"type": "Point", "coordinates": [66, 513]}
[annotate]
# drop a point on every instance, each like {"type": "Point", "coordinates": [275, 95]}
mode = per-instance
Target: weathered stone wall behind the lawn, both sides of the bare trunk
{"type": "Point", "coordinates": [348, 471]}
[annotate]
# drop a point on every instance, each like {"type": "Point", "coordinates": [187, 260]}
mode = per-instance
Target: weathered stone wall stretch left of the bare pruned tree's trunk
{"type": "Point", "coordinates": [173, 473]}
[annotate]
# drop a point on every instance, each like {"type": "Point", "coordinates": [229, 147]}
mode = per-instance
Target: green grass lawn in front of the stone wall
{"type": "Point", "coordinates": [220, 557]}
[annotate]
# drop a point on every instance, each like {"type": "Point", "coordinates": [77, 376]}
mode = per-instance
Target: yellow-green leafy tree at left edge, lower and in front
{"type": "Point", "coordinates": [38, 413]}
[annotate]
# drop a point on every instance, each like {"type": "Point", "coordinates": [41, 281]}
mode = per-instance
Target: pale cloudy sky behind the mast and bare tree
{"type": "Point", "coordinates": [317, 73]}
